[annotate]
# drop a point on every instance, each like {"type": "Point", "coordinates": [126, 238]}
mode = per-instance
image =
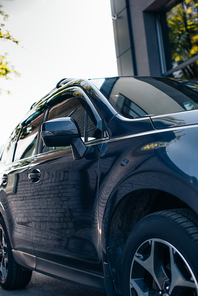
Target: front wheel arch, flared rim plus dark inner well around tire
{"type": "Point", "coordinates": [135, 198]}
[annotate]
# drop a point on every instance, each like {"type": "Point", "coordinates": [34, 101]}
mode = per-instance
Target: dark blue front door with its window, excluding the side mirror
{"type": "Point", "coordinates": [63, 193]}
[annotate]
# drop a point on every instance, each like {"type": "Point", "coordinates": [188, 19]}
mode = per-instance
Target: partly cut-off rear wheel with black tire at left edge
{"type": "Point", "coordinates": [12, 275]}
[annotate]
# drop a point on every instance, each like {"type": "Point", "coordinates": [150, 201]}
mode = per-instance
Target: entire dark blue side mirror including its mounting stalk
{"type": "Point", "coordinates": [63, 132]}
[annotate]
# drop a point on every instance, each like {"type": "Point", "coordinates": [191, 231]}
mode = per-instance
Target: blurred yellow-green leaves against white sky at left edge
{"type": "Point", "coordinates": [5, 68]}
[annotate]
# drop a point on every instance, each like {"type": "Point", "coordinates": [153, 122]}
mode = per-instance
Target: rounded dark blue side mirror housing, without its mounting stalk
{"type": "Point", "coordinates": [59, 132]}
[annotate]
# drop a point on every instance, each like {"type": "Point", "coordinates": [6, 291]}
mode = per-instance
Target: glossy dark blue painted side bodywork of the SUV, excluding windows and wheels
{"type": "Point", "coordinates": [65, 209]}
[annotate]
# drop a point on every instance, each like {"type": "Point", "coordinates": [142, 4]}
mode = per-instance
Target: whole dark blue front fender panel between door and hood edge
{"type": "Point", "coordinates": [147, 162]}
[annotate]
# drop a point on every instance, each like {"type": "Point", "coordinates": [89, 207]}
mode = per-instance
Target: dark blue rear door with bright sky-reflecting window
{"type": "Point", "coordinates": [14, 194]}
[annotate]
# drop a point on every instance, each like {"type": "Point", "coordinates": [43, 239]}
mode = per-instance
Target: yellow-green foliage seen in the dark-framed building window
{"type": "Point", "coordinates": [183, 33]}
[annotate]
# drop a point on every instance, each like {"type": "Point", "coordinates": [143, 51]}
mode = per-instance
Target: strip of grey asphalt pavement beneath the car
{"type": "Point", "coordinates": [42, 285]}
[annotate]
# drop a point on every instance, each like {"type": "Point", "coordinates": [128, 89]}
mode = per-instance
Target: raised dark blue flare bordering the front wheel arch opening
{"type": "Point", "coordinates": [172, 184]}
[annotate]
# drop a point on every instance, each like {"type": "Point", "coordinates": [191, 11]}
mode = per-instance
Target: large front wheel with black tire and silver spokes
{"type": "Point", "coordinates": [161, 256]}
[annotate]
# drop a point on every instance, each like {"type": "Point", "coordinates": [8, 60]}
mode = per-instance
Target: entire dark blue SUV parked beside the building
{"type": "Point", "coordinates": [90, 164]}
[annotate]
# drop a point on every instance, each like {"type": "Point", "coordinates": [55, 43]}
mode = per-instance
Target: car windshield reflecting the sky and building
{"type": "Point", "coordinates": [135, 97]}
